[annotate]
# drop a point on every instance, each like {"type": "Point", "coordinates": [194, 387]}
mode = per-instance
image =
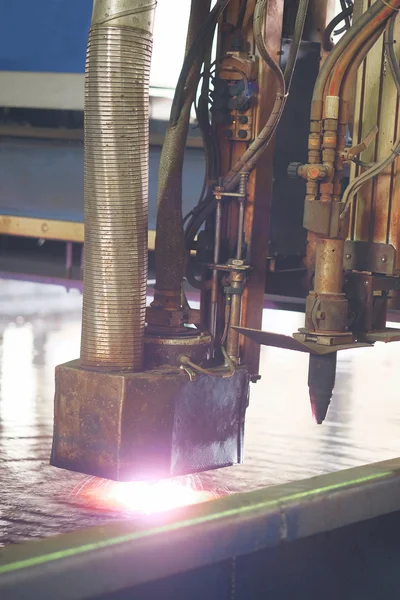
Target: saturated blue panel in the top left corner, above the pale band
{"type": "Point", "coordinates": [44, 35]}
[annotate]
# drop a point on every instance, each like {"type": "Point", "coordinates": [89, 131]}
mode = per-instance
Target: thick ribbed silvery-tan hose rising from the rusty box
{"type": "Point", "coordinates": [116, 183]}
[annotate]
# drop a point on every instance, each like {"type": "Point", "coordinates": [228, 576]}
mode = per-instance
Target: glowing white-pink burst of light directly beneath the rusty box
{"type": "Point", "coordinates": [142, 497]}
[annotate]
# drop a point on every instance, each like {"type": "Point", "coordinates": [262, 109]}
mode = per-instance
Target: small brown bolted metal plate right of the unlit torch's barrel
{"type": "Point", "coordinates": [373, 258]}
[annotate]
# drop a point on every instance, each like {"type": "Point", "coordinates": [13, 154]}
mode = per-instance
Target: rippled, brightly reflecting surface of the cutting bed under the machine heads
{"type": "Point", "coordinates": [40, 328]}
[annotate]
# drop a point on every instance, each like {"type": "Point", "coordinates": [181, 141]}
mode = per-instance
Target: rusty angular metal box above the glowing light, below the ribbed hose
{"type": "Point", "coordinates": [150, 425]}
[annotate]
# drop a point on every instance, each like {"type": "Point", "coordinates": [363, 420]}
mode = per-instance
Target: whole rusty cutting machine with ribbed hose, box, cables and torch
{"type": "Point", "coordinates": [162, 390]}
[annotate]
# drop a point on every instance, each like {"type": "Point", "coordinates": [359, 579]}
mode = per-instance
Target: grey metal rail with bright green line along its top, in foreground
{"type": "Point", "coordinates": [83, 564]}
